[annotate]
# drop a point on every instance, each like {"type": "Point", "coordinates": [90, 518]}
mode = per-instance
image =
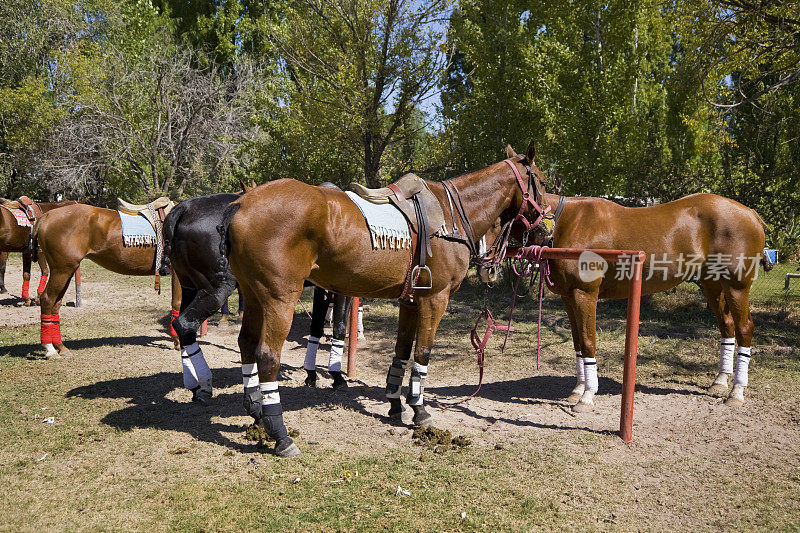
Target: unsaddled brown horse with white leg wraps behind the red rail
{"type": "Point", "coordinates": [702, 236]}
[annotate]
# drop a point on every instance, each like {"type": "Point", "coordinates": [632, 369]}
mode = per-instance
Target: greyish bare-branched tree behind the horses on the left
{"type": "Point", "coordinates": [152, 127]}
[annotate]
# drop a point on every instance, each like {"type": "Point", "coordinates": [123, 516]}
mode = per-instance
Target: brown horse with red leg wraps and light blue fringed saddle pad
{"type": "Point", "coordinates": [67, 236]}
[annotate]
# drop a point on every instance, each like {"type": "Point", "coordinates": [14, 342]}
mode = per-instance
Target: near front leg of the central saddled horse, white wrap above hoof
{"type": "Point", "coordinates": [430, 314]}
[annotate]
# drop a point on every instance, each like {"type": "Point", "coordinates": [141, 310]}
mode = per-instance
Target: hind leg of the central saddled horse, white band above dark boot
{"type": "Point", "coordinates": [266, 324]}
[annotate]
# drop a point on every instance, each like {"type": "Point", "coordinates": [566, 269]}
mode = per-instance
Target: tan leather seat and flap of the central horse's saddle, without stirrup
{"type": "Point", "coordinates": [408, 185]}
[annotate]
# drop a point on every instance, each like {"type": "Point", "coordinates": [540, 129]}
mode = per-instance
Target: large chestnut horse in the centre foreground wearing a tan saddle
{"type": "Point", "coordinates": [284, 232]}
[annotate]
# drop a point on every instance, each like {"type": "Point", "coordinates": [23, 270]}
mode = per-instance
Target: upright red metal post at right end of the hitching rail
{"type": "Point", "coordinates": [631, 345]}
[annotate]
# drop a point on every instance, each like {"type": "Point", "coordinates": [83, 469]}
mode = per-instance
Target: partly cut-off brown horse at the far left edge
{"type": "Point", "coordinates": [16, 238]}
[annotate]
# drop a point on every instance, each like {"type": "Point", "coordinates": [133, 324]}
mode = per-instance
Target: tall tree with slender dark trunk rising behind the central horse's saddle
{"type": "Point", "coordinates": [359, 70]}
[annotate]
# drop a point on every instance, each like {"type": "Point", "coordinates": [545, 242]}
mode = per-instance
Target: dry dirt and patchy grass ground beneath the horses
{"type": "Point", "coordinates": [127, 450]}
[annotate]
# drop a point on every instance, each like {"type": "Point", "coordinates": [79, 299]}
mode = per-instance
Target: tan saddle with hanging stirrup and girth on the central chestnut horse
{"type": "Point", "coordinates": [411, 195]}
